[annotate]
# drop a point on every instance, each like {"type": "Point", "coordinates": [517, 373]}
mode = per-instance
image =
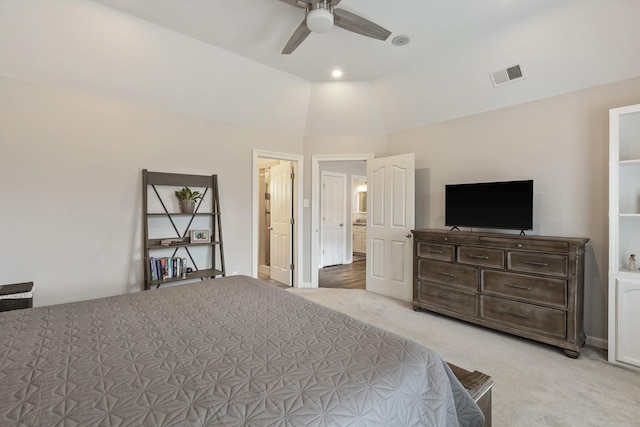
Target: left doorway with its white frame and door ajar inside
{"type": "Point", "coordinates": [277, 234]}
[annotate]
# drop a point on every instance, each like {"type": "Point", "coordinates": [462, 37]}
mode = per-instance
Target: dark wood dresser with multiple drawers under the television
{"type": "Point", "coordinates": [531, 286]}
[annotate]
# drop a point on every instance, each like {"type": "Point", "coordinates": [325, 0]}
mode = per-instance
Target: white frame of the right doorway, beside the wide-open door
{"type": "Point", "coordinates": [315, 211]}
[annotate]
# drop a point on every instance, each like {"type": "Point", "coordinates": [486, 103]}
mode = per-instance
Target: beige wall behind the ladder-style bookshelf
{"type": "Point", "coordinates": [70, 186]}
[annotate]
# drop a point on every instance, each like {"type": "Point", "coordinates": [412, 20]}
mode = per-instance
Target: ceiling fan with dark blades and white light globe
{"type": "Point", "coordinates": [320, 16]}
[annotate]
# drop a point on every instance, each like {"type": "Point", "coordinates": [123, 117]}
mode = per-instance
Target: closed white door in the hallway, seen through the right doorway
{"type": "Point", "coordinates": [333, 207]}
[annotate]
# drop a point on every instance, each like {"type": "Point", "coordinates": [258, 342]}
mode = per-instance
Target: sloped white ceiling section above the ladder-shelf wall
{"type": "Point", "coordinates": [89, 47]}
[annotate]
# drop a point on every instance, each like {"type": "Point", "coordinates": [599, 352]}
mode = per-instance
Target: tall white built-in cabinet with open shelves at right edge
{"type": "Point", "coordinates": [624, 234]}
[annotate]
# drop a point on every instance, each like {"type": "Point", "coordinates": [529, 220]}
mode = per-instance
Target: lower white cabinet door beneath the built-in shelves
{"type": "Point", "coordinates": [628, 333]}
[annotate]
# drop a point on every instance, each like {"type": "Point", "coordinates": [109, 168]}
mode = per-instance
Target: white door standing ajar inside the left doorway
{"type": "Point", "coordinates": [281, 216]}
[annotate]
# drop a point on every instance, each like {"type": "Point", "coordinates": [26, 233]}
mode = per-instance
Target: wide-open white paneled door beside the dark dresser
{"type": "Point", "coordinates": [390, 219]}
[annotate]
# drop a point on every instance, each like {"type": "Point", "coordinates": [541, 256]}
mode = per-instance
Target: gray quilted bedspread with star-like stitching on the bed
{"type": "Point", "coordinates": [232, 351]}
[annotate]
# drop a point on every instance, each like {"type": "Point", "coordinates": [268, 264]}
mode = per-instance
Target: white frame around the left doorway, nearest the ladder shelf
{"type": "Point", "coordinates": [297, 240]}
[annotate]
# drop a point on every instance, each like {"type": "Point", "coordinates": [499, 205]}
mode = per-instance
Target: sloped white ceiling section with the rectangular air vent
{"type": "Point", "coordinates": [456, 82]}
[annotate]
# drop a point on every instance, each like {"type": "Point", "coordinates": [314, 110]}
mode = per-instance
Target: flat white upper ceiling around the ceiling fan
{"type": "Point", "coordinates": [441, 33]}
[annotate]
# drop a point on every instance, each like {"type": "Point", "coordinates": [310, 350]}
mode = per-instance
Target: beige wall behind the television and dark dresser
{"type": "Point", "coordinates": [561, 143]}
